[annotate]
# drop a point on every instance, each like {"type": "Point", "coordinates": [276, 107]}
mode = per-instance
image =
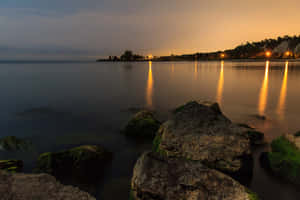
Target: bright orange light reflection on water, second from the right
{"type": "Point", "coordinates": [263, 97]}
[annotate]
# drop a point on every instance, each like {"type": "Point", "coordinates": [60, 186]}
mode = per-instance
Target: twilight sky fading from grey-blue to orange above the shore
{"type": "Point", "coordinates": [87, 29]}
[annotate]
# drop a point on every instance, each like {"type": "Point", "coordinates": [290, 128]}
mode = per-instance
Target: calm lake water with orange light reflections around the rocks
{"type": "Point", "coordinates": [62, 105]}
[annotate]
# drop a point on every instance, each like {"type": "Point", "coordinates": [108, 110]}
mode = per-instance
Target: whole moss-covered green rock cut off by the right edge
{"type": "Point", "coordinates": [284, 159]}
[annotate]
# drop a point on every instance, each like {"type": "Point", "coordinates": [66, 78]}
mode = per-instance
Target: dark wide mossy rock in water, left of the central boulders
{"type": "Point", "coordinates": [84, 162]}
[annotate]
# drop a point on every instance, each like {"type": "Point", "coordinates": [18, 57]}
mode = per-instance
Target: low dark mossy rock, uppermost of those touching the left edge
{"type": "Point", "coordinates": [12, 143]}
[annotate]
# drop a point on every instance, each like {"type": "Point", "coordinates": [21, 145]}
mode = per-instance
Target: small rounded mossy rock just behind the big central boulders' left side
{"type": "Point", "coordinates": [142, 125]}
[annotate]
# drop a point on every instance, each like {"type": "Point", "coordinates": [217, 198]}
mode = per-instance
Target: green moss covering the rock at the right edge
{"type": "Point", "coordinates": [285, 159]}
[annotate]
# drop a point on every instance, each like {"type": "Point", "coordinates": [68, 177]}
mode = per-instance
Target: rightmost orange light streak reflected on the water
{"type": "Point", "coordinates": [283, 91]}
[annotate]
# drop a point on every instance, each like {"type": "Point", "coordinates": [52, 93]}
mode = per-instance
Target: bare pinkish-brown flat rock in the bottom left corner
{"type": "Point", "coordinates": [38, 186]}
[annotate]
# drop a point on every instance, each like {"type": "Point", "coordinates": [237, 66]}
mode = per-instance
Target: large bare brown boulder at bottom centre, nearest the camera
{"type": "Point", "coordinates": [157, 177]}
